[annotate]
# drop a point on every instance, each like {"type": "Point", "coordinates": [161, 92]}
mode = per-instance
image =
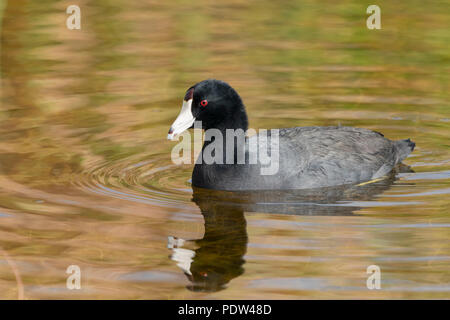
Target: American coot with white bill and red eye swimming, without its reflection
{"type": "Point", "coordinates": [308, 157]}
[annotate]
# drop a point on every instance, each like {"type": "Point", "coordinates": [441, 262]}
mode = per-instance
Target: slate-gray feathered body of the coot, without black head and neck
{"type": "Point", "coordinates": [311, 157]}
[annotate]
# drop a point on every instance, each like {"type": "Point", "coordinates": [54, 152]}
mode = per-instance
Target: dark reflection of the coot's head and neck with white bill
{"type": "Point", "coordinates": [219, 256]}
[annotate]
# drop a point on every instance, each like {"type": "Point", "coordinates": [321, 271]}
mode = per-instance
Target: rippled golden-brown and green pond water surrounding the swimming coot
{"type": "Point", "coordinates": [87, 180]}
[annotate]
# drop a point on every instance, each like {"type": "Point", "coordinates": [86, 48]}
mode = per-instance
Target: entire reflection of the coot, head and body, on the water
{"type": "Point", "coordinates": [219, 256]}
